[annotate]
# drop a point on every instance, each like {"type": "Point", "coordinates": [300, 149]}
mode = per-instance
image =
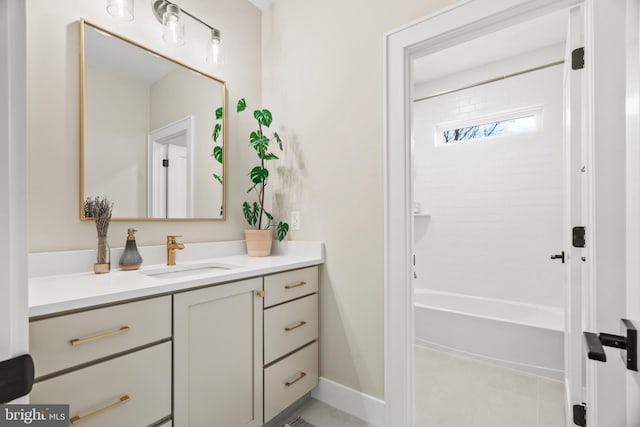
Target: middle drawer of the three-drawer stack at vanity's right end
{"type": "Point", "coordinates": [289, 326]}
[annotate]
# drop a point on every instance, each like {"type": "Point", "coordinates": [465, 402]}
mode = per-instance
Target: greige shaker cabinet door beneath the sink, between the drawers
{"type": "Point", "coordinates": [218, 356]}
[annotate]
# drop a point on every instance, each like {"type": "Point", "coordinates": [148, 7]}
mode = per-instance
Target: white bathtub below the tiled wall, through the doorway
{"type": "Point", "coordinates": [525, 337]}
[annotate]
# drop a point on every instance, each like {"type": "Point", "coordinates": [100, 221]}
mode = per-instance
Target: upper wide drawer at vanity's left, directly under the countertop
{"type": "Point", "coordinates": [63, 342]}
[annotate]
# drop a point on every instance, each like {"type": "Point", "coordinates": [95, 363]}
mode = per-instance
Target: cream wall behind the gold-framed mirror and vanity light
{"type": "Point", "coordinates": [53, 113]}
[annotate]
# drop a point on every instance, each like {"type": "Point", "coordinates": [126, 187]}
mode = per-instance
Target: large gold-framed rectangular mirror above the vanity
{"type": "Point", "coordinates": [152, 132]}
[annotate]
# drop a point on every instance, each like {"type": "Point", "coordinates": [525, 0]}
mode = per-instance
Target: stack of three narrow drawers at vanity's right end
{"type": "Point", "coordinates": [290, 338]}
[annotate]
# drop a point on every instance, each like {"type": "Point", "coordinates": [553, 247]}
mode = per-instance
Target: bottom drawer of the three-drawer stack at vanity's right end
{"type": "Point", "coordinates": [289, 380]}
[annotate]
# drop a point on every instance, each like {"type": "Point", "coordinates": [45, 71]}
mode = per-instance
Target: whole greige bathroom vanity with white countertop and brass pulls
{"type": "Point", "coordinates": [226, 341]}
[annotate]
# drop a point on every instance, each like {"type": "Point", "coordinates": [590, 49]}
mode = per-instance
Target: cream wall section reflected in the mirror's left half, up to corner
{"type": "Point", "coordinates": [116, 133]}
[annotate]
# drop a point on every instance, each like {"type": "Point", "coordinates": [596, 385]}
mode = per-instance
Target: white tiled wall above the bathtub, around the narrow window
{"type": "Point", "coordinates": [496, 204]}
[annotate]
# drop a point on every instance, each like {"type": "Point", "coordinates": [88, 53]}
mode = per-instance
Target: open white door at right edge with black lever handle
{"type": "Point", "coordinates": [612, 217]}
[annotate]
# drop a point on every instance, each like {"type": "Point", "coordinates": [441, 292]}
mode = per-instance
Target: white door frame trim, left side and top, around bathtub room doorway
{"type": "Point", "coordinates": [461, 21]}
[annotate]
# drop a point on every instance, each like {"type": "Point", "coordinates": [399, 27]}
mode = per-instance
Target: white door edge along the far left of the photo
{"type": "Point", "coordinates": [14, 333]}
